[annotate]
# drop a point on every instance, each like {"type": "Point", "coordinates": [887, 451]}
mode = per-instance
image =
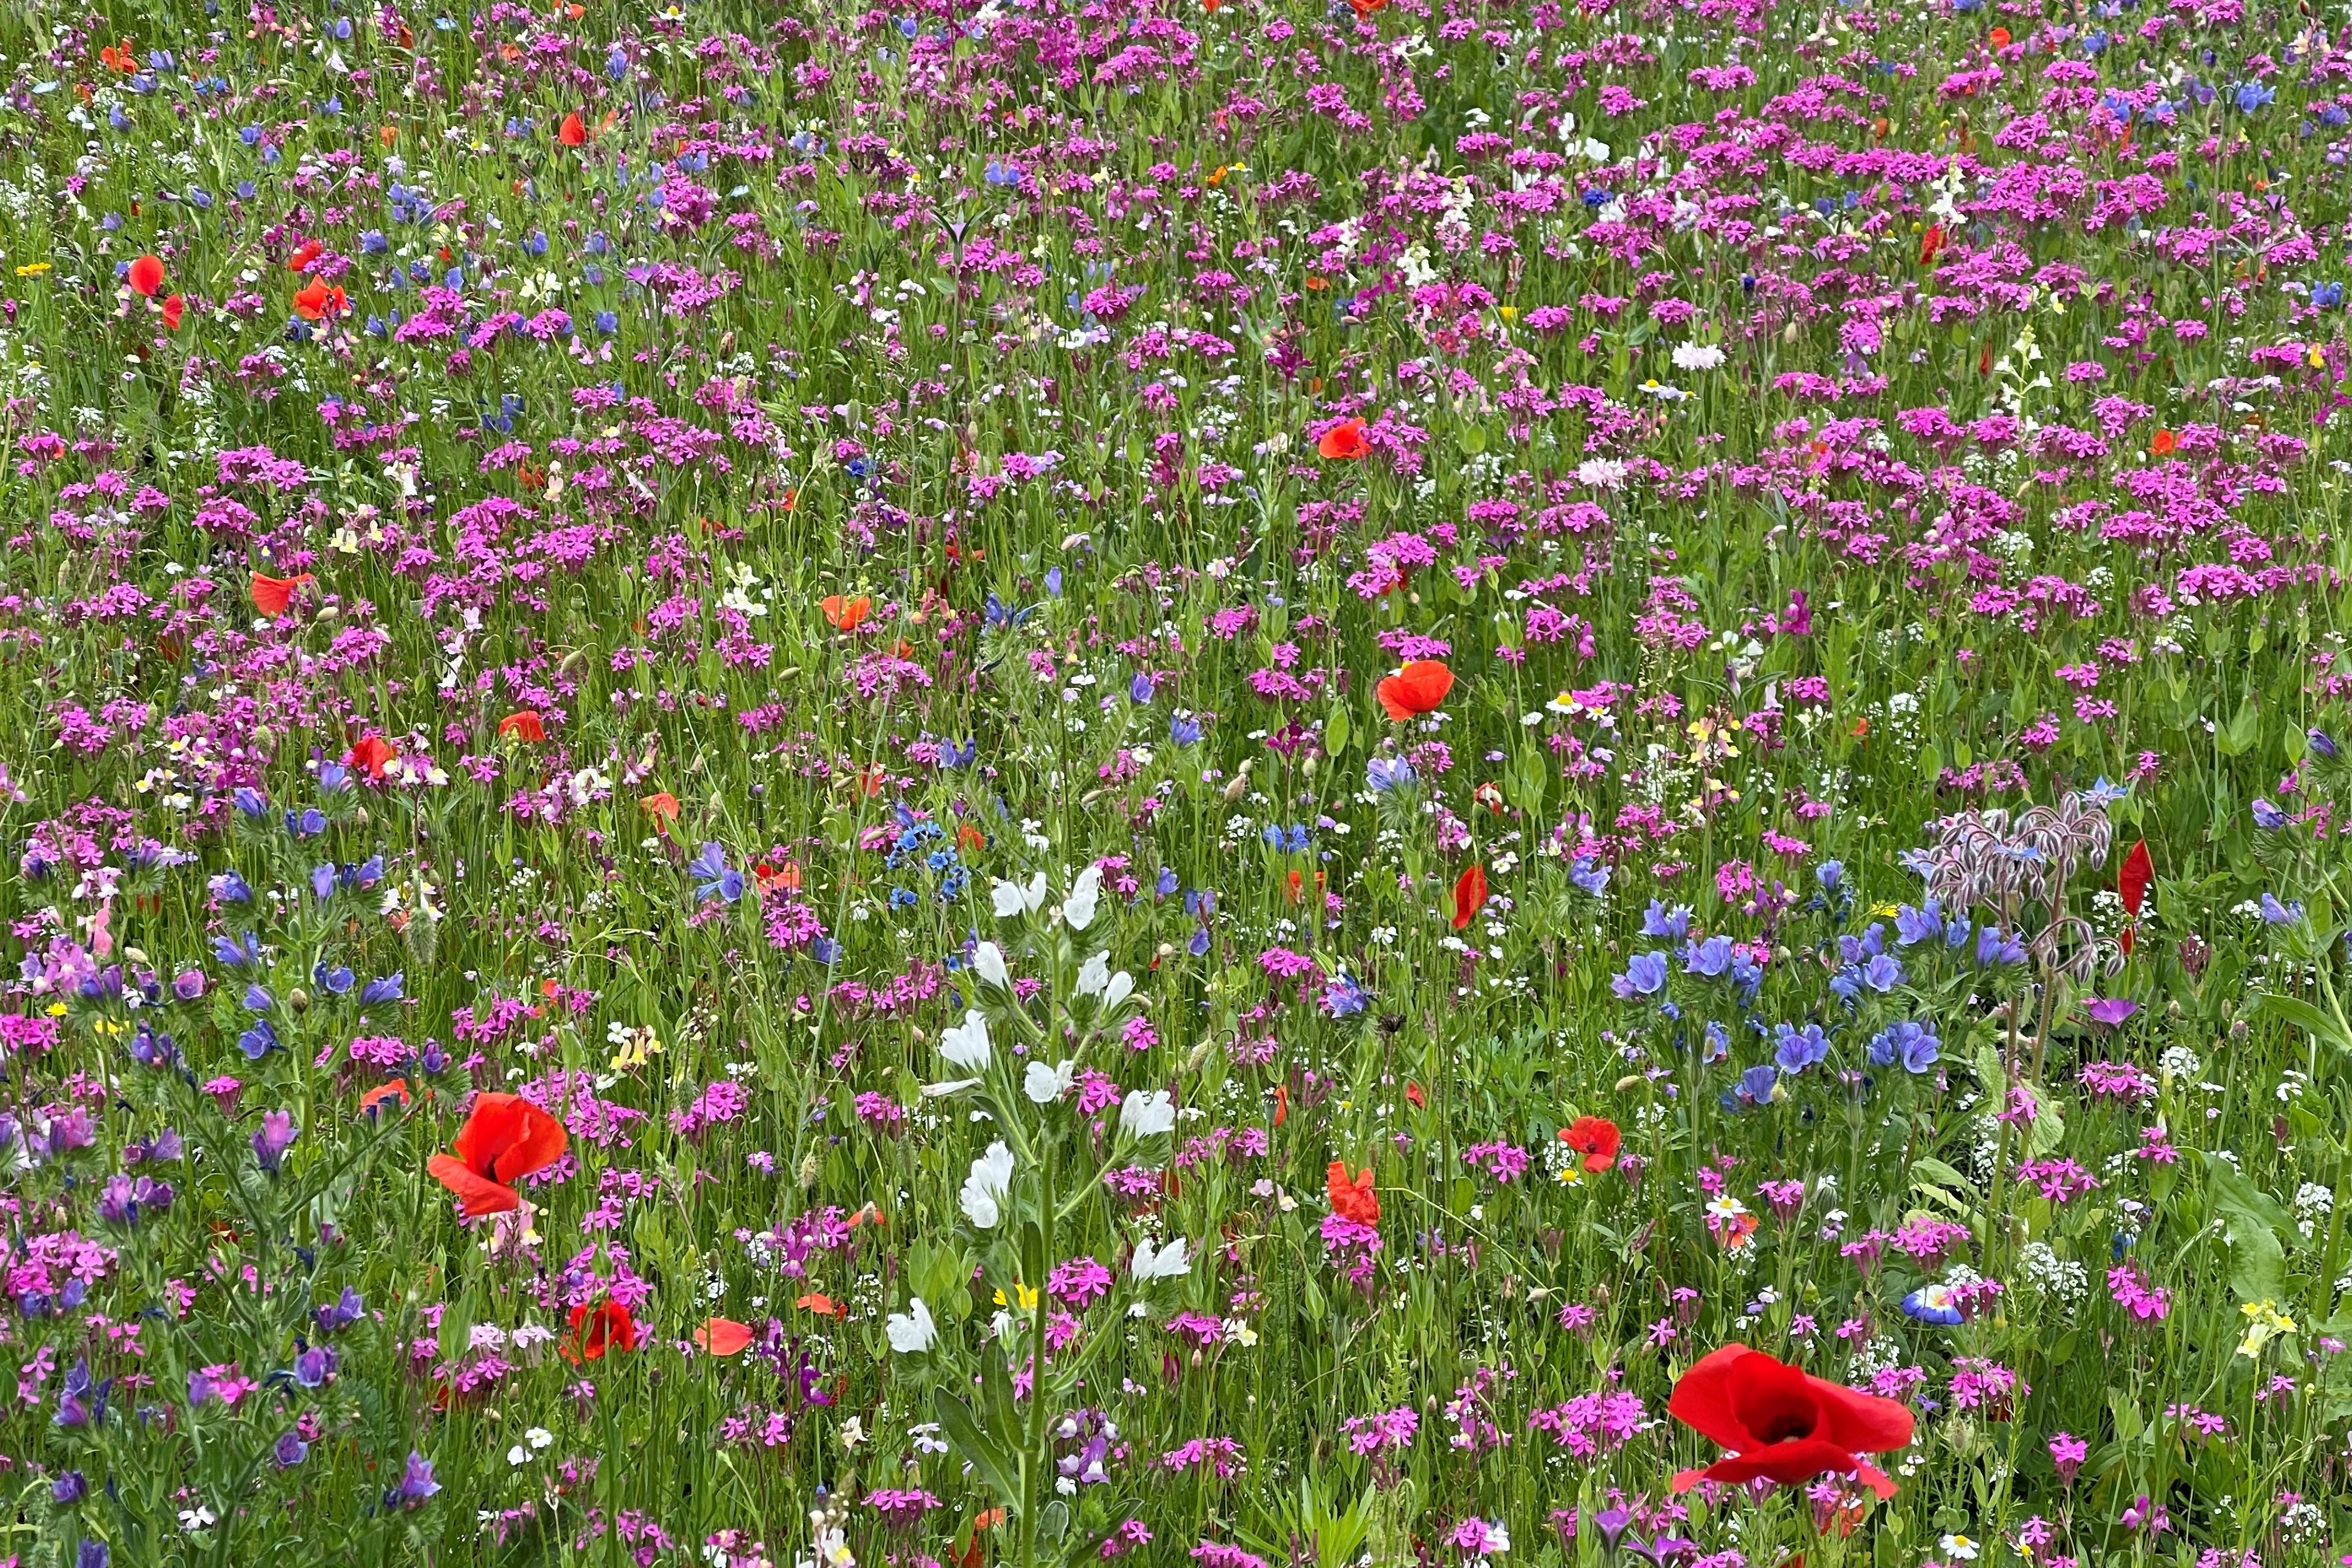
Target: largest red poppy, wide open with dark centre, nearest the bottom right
{"type": "Point", "coordinates": [1784, 1423]}
